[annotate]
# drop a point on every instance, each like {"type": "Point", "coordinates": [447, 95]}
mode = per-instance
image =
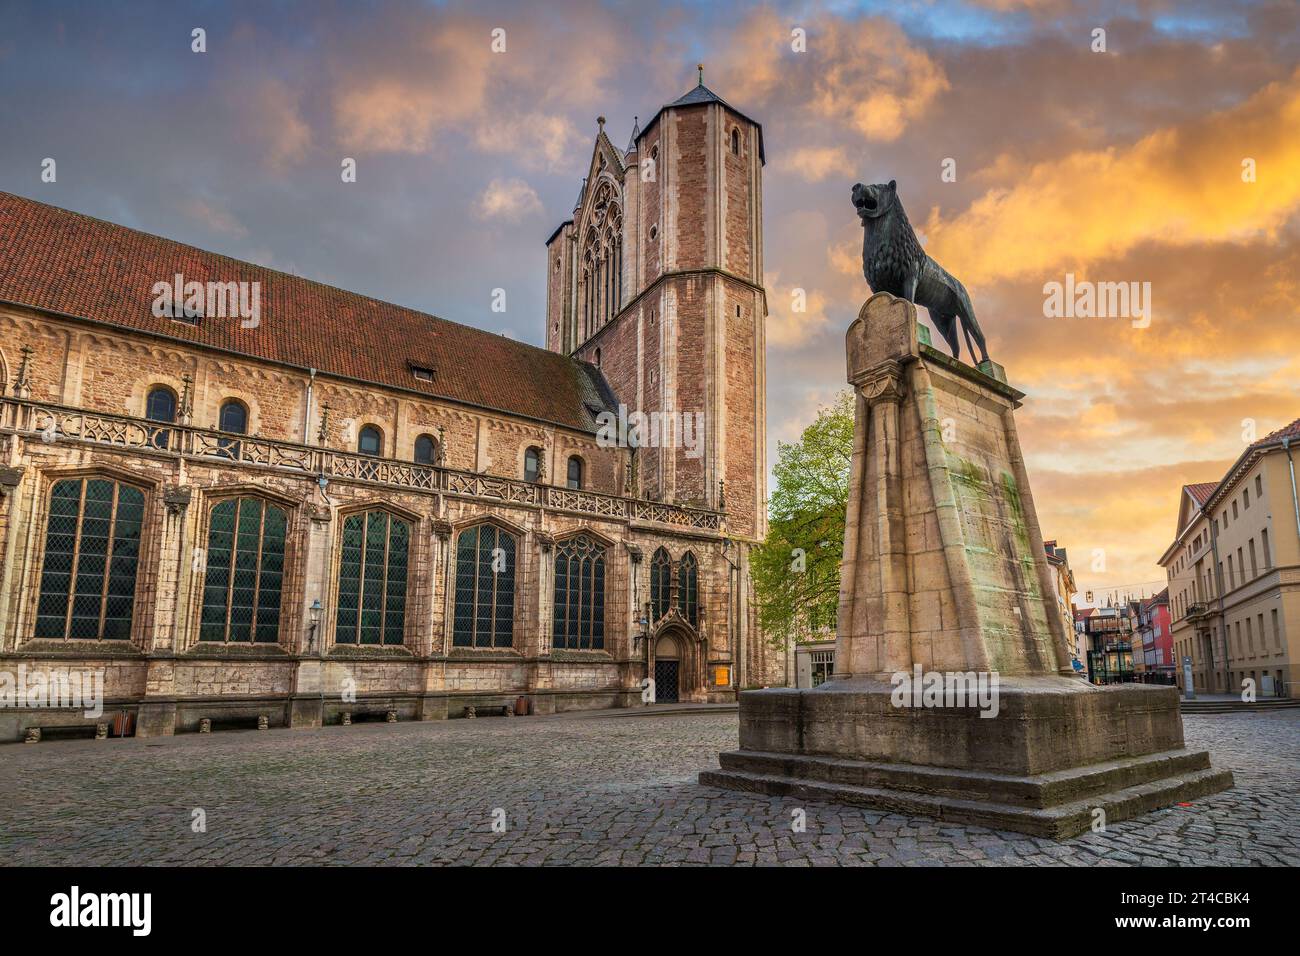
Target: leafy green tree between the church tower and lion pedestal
{"type": "Point", "coordinates": [796, 570]}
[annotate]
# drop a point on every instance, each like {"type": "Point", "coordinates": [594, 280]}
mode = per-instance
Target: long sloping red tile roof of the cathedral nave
{"type": "Point", "coordinates": [64, 262]}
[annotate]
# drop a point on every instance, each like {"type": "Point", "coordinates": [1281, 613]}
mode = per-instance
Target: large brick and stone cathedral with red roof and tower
{"type": "Point", "coordinates": [236, 498]}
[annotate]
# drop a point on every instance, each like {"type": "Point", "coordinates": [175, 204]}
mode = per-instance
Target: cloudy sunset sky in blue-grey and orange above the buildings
{"type": "Point", "coordinates": [1163, 152]}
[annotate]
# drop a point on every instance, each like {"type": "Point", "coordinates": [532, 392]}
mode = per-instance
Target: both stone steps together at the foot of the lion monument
{"type": "Point", "coordinates": [1056, 806]}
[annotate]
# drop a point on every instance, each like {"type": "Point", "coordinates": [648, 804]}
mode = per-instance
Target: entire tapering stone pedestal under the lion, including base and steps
{"type": "Point", "coordinates": [946, 585]}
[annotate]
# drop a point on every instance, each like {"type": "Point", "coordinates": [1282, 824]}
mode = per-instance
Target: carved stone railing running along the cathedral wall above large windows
{"type": "Point", "coordinates": [54, 423]}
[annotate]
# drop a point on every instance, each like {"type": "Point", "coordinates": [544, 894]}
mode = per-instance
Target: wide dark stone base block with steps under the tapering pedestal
{"type": "Point", "coordinates": [1055, 752]}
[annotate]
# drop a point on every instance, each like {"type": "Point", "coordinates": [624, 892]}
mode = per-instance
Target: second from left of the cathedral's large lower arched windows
{"type": "Point", "coordinates": [245, 573]}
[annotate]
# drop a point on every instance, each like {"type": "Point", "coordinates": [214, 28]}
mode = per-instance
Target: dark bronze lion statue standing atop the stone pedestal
{"type": "Point", "coordinates": [894, 262]}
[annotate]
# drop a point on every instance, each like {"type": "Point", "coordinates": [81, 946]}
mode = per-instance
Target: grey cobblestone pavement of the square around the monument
{"type": "Point", "coordinates": [573, 790]}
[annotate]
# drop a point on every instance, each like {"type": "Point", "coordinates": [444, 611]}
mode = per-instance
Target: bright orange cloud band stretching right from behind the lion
{"type": "Point", "coordinates": [1181, 185]}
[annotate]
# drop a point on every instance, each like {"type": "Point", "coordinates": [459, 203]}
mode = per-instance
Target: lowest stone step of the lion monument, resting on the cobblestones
{"type": "Point", "coordinates": [1056, 823]}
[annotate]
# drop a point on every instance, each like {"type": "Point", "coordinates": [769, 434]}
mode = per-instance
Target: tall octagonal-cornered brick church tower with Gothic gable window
{"type": "Point", "coordinates": [658, 280]}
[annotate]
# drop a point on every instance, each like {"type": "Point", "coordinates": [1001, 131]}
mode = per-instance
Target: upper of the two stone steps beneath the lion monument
{"type": "Point", "coordinates": [1038, 791]}
